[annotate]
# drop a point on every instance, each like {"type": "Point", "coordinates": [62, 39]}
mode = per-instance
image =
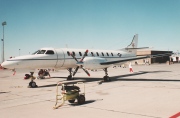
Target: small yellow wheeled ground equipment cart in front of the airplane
{"type": "Point", "coordinates": [69, 91]}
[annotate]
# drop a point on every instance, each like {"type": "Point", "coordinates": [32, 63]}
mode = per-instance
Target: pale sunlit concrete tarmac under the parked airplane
{"type": "Point", "coordinates": [150, 92]}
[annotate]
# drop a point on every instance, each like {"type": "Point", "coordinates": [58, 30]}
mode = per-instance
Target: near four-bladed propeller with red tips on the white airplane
{"type": "Point", "coordinates": [80, 63]}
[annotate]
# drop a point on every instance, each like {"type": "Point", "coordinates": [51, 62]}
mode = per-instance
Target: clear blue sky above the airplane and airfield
{"type": "Point", "coordinates": [97, 24]}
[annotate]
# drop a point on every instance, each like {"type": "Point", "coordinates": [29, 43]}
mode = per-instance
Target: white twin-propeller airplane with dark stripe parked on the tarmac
{"type": "Point", "coordinates": [66, 58]}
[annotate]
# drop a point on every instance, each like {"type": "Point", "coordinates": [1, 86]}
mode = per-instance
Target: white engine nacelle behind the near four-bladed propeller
{"type": "Point", "coordinates": [94, 63]}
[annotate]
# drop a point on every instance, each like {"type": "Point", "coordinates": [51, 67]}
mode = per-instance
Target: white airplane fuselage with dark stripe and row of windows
{"type": "Point", "coordinates": [61, 59]}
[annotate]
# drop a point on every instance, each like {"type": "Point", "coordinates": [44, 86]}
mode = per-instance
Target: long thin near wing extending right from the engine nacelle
{"type": "Point", "coordinates": [135, 58]}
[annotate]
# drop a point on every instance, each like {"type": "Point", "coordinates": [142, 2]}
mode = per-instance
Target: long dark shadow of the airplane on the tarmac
{"type": "Point", "coordinates": [118, 78]}
